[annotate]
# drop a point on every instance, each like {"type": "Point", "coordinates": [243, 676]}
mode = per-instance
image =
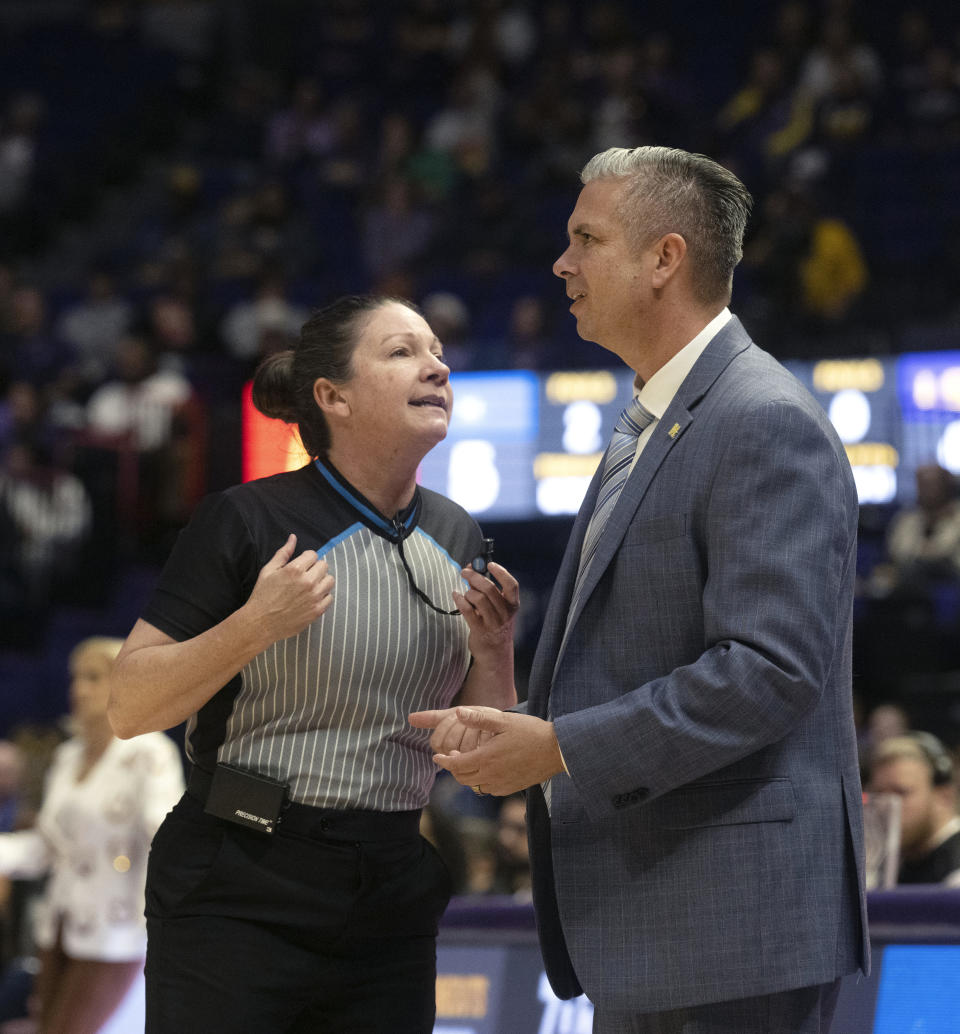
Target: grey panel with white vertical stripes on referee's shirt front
{"type": "Point", "coordinates": [326, 710]}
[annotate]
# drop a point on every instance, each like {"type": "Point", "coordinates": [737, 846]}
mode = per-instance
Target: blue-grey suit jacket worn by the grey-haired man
{"type": "Point", "coordinates": [708, 844]}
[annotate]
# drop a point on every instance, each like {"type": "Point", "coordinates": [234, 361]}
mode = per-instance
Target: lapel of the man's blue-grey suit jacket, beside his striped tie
{"type": "Point", "coordinates": [670, 430]}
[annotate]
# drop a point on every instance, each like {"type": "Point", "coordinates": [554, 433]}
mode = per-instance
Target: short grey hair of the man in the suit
{"type": "Point", "coordinates": [674, 192]}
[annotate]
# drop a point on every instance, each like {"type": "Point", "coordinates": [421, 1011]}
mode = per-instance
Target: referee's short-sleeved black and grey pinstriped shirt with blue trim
{"type": "Point", "coordinates": [326, 711]}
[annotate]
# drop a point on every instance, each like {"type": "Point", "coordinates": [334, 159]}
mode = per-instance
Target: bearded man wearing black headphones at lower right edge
{"type": "Point", "coordinates": [920, 771]}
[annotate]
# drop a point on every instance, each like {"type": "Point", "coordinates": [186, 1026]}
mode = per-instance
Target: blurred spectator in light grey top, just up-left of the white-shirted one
{"type": "Point", "coordinates": [94, 326]}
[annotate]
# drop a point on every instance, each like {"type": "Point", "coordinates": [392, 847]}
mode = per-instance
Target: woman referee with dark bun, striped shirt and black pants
{"type": "Point", "coordinates": [290, 891]}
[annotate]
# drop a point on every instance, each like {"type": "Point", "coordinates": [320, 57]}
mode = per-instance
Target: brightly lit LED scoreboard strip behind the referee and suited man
{"type": "Point", "coordinates": [525, 445]}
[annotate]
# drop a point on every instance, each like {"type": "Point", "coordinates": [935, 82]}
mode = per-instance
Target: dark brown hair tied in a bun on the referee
{"type": "Point", "coordinates": [284, 383]}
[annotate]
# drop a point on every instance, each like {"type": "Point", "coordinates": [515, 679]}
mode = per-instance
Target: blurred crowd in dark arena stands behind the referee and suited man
{"type": "Point", "coordinates": [182, 181]}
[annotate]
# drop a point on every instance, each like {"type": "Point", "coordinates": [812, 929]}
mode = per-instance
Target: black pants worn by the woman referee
{"type": "Point", "coordinates": [333, 931]}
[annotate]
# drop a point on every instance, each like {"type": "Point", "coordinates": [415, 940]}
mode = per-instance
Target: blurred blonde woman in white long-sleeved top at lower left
{"type": "Point", "coordinates": [104, 801]}
